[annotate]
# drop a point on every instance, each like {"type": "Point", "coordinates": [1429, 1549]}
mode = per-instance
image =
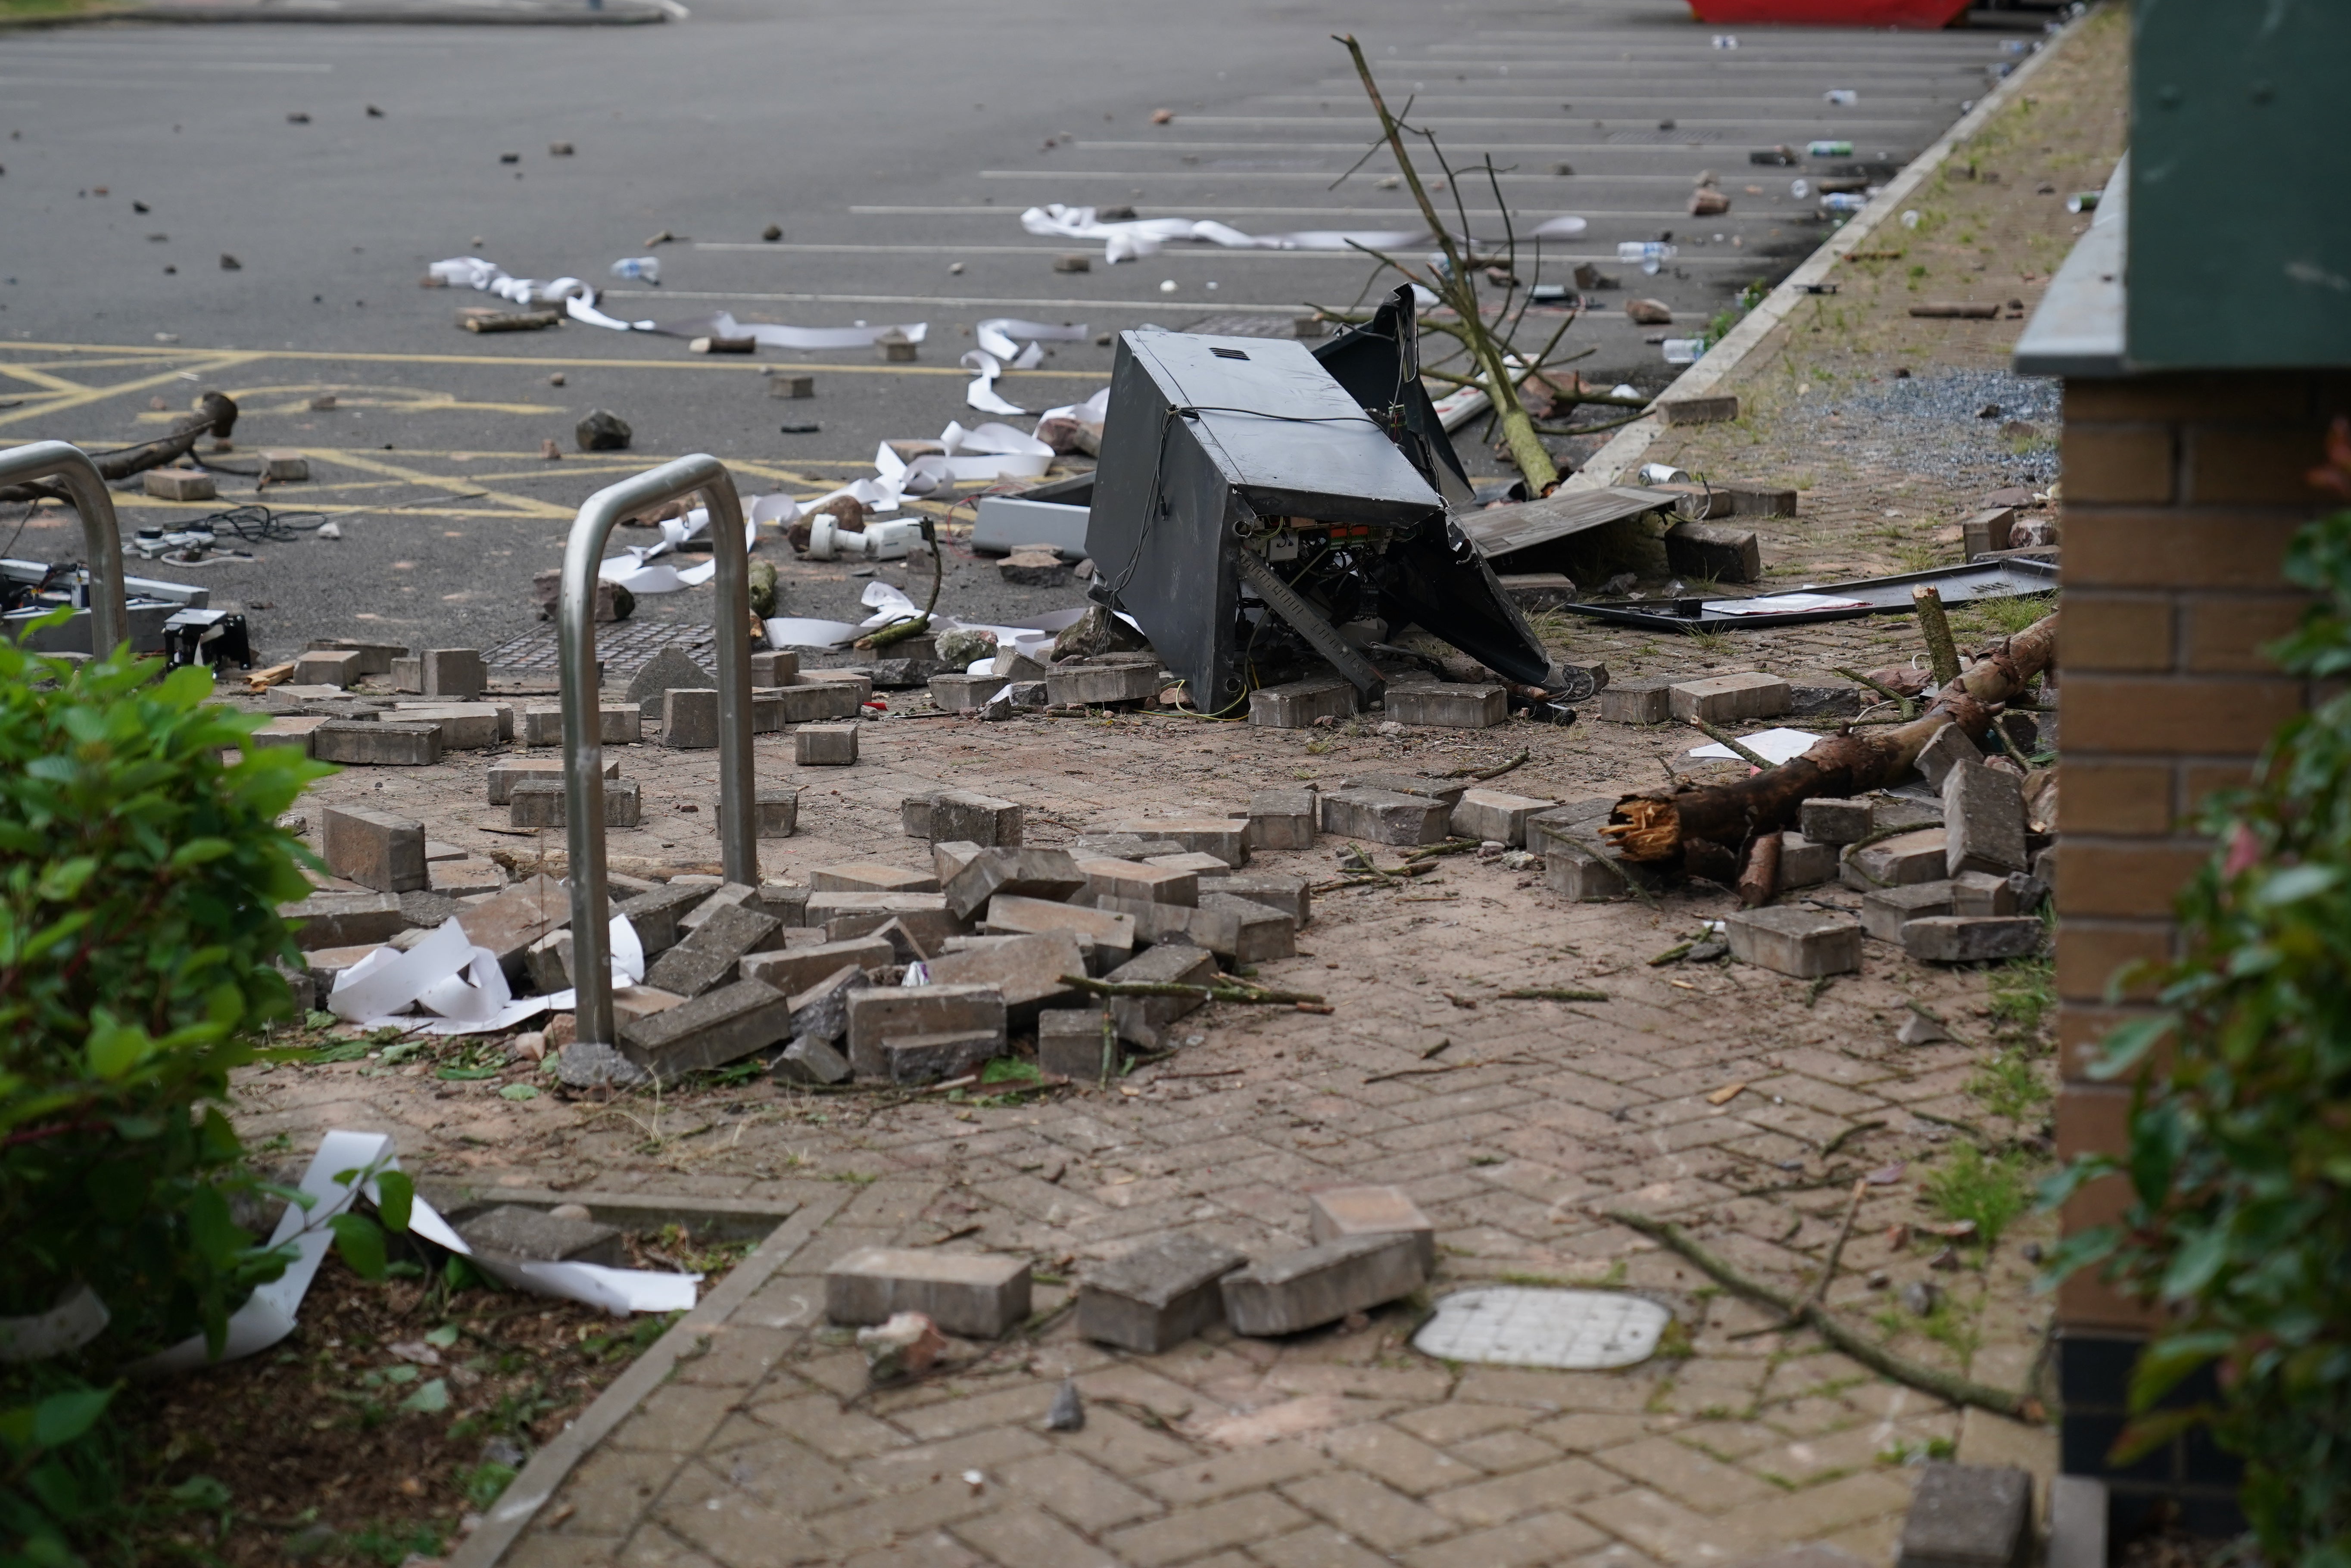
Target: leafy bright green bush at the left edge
{"type": "Point", "coordinates": [140, 887]}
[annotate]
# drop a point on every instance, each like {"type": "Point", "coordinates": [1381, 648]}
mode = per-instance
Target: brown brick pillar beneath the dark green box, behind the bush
{"type": "Point", "coordinates": [2181, 497]}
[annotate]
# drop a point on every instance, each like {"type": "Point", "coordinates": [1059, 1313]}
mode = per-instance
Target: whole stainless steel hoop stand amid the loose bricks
{"type": "Point", "coordinates": [584, 723]}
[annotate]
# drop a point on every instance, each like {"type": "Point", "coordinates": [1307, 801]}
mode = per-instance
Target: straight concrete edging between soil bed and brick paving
{"type": "Point", "coordinates": [554, 1466]}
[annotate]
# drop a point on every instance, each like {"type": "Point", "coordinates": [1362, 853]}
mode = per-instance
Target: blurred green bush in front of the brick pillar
{"type": "Point", "coordinates": [2239, 1158]}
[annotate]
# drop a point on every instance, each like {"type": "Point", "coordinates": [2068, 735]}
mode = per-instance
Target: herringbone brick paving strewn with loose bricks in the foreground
{"type": "Point", "coordinates": [1344, 1447]}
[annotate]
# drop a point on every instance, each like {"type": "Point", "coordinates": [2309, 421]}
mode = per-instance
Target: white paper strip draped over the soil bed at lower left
{"type": "Point", "coordinates": [267, 1315]}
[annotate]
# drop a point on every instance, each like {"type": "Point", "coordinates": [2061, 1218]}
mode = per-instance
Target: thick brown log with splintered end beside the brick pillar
{"type": "Point", "coordinates": [1701, 826]}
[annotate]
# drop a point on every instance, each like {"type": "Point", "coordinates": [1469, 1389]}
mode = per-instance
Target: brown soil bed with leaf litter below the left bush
{"type": "Point", "coordinates": [387, 1421]}
